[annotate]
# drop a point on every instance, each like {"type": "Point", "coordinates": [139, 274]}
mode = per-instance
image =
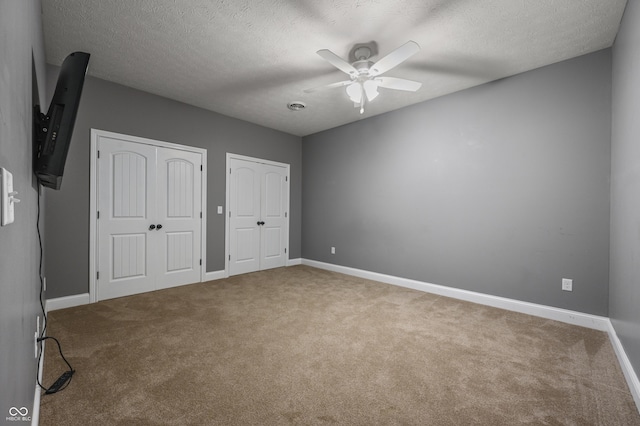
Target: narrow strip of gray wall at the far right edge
{"type": "Point", "coordinates": [624, 292]}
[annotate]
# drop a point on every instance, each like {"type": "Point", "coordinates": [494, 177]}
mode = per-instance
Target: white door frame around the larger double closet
{"type": "Point", "coordinates": [96, 134]}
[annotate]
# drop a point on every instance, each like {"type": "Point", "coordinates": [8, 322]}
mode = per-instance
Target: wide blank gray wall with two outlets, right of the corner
{"type": "Point", "coordinates": [501, 189]}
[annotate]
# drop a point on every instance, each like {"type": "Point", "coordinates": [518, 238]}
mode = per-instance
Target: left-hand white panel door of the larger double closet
{"type": "Point", "coordinates": [126, 200]}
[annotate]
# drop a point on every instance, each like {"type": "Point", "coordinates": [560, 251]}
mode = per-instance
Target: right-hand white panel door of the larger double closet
{"type": "Point", "coordinates": [178, 217]}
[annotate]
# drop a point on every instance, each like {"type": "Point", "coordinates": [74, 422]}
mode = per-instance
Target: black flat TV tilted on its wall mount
{"type": "Point", "coordinates": [54, 130]}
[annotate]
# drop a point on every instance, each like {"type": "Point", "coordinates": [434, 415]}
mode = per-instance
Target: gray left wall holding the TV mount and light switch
{"type": "Point", "coordinates": [20, 38]}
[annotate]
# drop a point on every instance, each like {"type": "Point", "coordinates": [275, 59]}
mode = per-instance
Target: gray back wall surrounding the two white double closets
{"type": "Point", "coordinates": [116, 108]}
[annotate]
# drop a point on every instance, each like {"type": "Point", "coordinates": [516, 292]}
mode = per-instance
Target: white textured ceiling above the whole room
{"type": "Point", "coordinates": [249, 58]}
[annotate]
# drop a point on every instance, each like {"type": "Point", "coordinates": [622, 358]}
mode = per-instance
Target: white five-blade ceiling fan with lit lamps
{"type": "Point", "coordinates": [365, 76]}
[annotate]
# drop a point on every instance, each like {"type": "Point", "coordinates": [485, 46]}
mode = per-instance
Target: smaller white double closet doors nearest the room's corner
{"type": "Point", "coordinates": [258, 203]}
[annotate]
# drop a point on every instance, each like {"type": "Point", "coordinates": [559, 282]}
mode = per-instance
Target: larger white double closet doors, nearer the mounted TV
{"type": "Point", "coordinates": [149, 217]}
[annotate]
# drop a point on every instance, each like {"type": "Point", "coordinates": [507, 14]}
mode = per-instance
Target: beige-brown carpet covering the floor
{"type": "Point", "coordinates": [305, 346]}
